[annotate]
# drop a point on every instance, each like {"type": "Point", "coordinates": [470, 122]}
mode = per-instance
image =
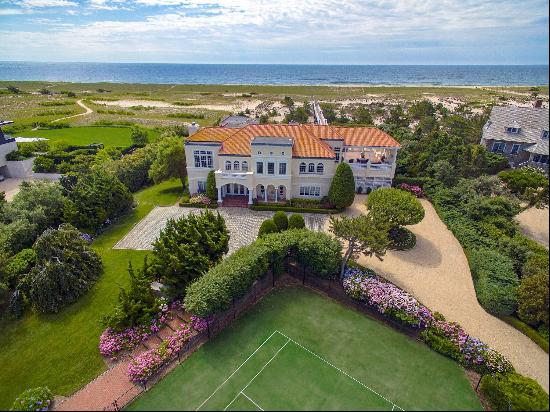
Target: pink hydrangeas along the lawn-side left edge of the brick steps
{"type": "Point", "coordinates": [111, 343]}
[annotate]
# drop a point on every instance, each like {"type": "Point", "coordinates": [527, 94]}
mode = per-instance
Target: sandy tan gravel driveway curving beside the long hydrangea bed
{"type": "Point", "coordinates": [436, 272]}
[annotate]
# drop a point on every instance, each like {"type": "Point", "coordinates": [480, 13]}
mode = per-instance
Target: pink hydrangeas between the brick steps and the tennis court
{"type": "Point", "coordinates": [144, 366]}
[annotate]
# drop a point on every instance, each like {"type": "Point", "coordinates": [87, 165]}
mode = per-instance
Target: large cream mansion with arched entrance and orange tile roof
{"type": "Point", "coordinates": [279, 162]}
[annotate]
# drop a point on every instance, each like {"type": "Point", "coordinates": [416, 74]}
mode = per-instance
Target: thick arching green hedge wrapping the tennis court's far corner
{"type": "Point", "coordinates": [233, 277]}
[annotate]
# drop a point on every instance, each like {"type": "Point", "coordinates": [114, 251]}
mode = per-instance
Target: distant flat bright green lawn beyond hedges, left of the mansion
{"type": "Point", "coordinates": [109, 136]}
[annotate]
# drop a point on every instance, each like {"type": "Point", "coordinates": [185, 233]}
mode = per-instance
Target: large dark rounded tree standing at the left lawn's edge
{"type": "Point", "coordinates": [66, 269]}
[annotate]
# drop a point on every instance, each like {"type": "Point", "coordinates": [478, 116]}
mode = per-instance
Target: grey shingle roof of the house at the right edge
{"type": "Point", "coordinates": [531, 121]}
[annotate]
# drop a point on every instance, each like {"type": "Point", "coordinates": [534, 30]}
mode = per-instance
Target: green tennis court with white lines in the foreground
{"type": "Point", "coordinates": [298, 376]}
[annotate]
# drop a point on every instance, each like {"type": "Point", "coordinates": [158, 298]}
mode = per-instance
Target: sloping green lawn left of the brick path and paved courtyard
{"type": "Point", "coordinates": [61, 351]}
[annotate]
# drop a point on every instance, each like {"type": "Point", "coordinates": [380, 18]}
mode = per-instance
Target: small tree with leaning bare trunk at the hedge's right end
{"type": "Point", "coordinates": [363, 234]}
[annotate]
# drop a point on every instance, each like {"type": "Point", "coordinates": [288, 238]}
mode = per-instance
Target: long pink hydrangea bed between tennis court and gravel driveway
{"type": "Point", "coordinates": [447, 338]}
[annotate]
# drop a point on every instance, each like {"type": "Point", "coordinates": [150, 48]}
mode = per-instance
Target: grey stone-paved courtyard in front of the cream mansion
{"type": "Point", "coordinates": [243, 226]}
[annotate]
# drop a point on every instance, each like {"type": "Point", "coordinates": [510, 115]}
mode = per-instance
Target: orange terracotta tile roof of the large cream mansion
{"type": "Point", "coordinates": [307, 139]}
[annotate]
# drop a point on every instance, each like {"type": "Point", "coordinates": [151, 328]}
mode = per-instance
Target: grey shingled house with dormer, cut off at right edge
{"type": "Point", "coordinates": [520, 133]}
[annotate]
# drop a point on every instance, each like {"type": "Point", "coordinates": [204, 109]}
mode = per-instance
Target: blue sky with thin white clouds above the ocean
{"type": "Point", "coordinates": [276, 31]}
